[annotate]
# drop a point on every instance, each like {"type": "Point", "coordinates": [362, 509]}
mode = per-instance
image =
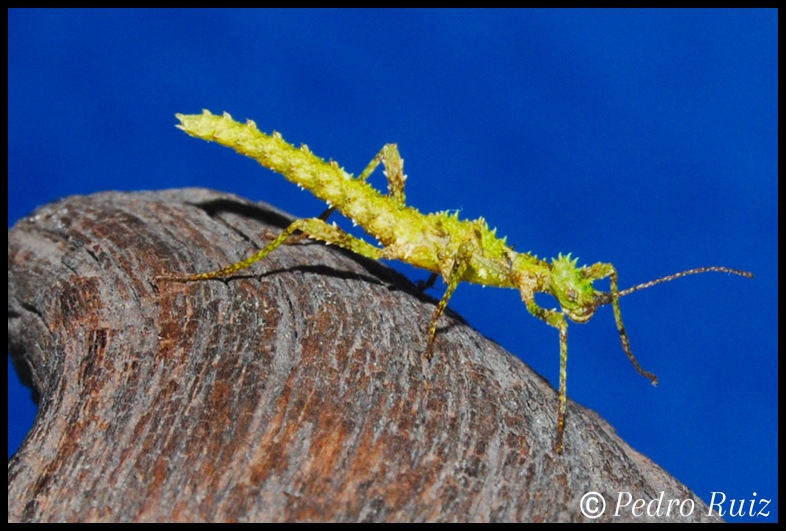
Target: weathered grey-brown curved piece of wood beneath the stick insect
{"type": "Point", "coordinates": [292, 392]}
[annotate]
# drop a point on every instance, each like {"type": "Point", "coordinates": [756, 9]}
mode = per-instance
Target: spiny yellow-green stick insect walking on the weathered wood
{"type": "Point", "coordinates": [455, 249]}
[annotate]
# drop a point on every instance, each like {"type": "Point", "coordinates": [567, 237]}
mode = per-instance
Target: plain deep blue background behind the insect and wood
{"type": "Point", "coordinates": [647, 139]}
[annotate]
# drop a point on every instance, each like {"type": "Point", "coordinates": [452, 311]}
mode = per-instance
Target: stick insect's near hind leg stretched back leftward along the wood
{"type": "Point", "coordinates": [314, 228]}
